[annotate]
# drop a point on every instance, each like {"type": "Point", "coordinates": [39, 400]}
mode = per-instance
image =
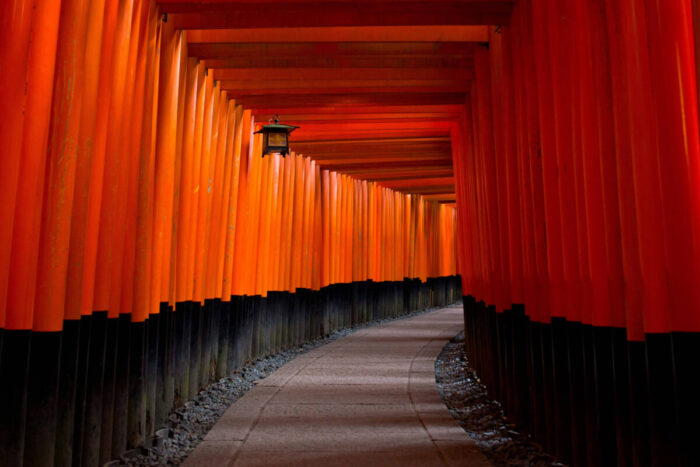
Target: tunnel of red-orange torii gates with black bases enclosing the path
{"type": "Point", "coordinates": [547, 151]}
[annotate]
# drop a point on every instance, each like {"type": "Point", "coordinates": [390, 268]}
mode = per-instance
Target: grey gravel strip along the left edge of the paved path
{"type": "Point", "coordinates": [189, 424]}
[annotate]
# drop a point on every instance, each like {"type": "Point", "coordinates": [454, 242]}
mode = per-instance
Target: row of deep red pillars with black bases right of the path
{"type": "Point", "coordinates": [576, 165]}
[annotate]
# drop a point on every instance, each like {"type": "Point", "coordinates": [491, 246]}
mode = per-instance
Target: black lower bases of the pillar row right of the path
{"type": "Point", "coordinates": [585, 392]}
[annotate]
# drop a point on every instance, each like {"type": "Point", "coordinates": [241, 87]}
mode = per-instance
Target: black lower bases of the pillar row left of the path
{"type": "Point", "coordinates": [84, 395]}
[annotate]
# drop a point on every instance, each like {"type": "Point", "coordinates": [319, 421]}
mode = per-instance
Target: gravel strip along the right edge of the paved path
{"type": "Point", "coordinates": [481, 417]}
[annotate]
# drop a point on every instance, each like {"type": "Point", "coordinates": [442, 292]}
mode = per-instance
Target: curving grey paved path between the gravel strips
{"type": "Point", "coordinates": [366, 399]}
